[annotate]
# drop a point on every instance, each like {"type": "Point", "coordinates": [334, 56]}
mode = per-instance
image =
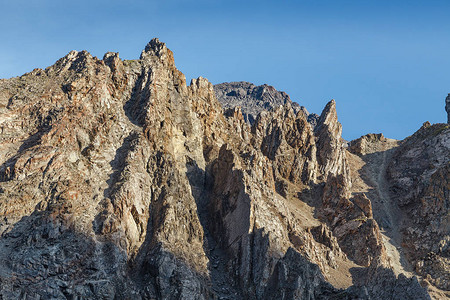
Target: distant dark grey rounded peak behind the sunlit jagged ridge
{"type": "Point", "coordinates": [254, 99]}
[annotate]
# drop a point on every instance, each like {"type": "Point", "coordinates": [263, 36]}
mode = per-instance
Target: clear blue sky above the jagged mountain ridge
{"type": "Point", "coordinates": [387, 63]}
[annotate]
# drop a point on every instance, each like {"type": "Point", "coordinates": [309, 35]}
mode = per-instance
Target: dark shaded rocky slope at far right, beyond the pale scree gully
{"type": "Point", "coordinates": [419, 174]}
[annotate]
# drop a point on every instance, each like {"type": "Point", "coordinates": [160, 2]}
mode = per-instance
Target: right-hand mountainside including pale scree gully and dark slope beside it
{"type": "Point", "coordinates": [403, 180]}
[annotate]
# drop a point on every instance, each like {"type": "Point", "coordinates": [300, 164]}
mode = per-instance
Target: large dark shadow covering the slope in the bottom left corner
{"type": "Point", "coordinates": [44, 257]}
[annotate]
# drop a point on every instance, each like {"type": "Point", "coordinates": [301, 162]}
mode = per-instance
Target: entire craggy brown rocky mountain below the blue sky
{"type": "Point", "coordinates": [120, 181]}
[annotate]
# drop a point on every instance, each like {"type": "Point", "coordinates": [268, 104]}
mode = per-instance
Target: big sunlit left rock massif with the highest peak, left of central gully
{"type": "Point", "coordinates": [110, 150]}
